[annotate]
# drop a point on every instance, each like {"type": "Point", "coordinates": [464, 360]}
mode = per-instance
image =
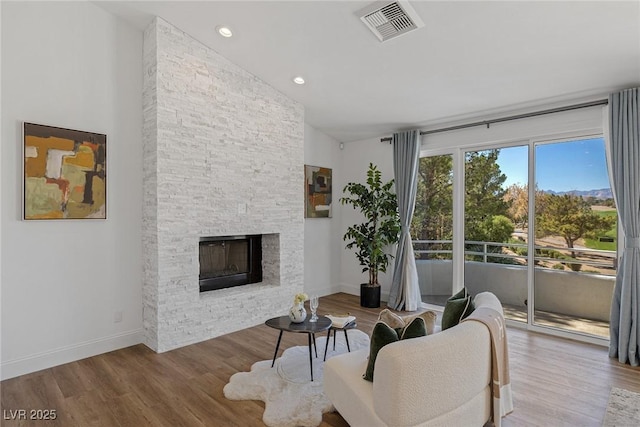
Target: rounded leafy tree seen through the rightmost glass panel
{"type": "Point", "coordinates": [570, 217]}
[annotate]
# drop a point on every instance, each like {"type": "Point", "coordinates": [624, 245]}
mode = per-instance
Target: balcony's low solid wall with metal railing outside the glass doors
{"type": "Point", "coordinates": [575, 297]}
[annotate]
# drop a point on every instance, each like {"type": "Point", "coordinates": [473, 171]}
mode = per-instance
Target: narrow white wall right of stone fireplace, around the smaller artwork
{"type": "Point", "coordinates": [323, 245]}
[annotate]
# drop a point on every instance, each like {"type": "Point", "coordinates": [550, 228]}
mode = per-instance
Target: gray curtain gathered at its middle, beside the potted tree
{"type": "Point", "coordinates": [405, 290]}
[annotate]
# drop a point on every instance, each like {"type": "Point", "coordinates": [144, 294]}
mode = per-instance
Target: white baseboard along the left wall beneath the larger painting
{"type": "Point", "coordinates": [59, 356]}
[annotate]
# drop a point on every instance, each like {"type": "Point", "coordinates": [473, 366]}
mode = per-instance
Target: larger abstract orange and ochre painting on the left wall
{"type": "Point", "coordinates": [65, 173]}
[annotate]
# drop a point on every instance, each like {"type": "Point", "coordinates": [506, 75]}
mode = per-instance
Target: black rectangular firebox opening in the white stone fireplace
{"type": "Point", "coordinates": [230, 261]}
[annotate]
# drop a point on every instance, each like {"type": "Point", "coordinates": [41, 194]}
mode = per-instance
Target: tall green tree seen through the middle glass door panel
{"type": "Point", "coordinates": [484, 196]}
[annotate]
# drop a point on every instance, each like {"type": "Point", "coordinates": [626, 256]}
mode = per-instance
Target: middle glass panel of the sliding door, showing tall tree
{"type": "Point", "coordinates": [496, 226]}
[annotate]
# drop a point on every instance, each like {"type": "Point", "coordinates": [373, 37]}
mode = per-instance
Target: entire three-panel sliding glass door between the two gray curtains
{"type": "Point", "coordinates": [533, 222]}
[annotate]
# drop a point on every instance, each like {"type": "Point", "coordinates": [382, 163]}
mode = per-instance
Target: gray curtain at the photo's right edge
{"type": "Point", "coordinates": [624, 160]}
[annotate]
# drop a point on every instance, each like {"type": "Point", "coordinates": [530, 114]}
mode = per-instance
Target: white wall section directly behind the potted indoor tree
{"type": "Point", "coordinates": [355, 163]}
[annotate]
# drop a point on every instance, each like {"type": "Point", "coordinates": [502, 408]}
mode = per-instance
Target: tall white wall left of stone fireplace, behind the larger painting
{"type": "Point", "coordinates": [73, 65]}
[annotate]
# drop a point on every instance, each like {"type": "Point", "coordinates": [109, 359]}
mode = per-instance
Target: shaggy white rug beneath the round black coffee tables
{"type": "Point", "coordinates": [290, 398]}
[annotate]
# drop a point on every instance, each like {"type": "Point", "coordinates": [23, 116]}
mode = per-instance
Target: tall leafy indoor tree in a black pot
{"type": "Point", "coordinates": [380, 229]}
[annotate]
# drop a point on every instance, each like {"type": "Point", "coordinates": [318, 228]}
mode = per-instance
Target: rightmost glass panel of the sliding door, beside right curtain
{"type": "Point", "coordinates": [575, 237]}
